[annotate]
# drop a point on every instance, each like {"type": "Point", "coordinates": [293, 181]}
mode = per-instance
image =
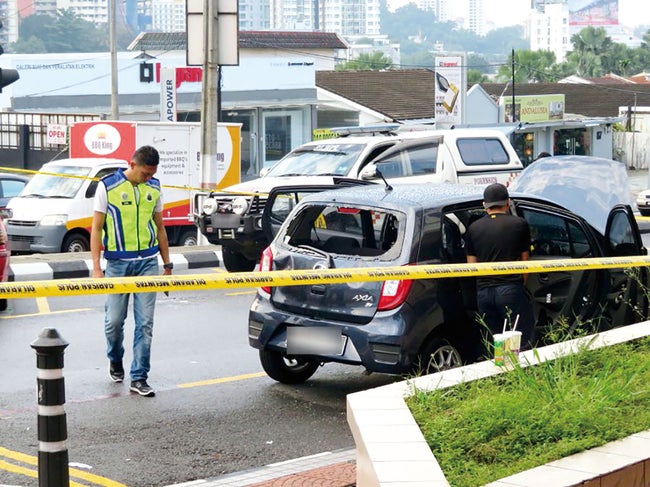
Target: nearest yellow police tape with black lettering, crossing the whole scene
{"type": "Point", "coordinates": [115, 285]}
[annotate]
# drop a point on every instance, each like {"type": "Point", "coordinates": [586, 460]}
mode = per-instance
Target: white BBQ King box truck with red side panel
{"type": "Point", "coordinates": [53, 213]}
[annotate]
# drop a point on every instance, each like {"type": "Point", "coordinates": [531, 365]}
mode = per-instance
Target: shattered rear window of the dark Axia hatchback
{"type": "Point", "coordinates": [346, 230]}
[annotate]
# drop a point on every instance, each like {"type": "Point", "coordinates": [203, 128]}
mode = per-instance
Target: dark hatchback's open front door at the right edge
{"type": "Point", "coordinates": [626, 300]}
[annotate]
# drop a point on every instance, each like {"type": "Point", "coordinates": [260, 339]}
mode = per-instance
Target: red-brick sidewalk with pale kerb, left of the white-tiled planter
{"type": "Point", "coordinates": [329, 469]}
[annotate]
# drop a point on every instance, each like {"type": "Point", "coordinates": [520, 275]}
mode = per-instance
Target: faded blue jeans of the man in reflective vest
{"type": "Point", "coordinates": [143, 309]}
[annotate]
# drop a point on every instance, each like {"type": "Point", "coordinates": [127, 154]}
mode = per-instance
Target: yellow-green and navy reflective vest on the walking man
{"type": "Point", "coordinates": [129, 227]}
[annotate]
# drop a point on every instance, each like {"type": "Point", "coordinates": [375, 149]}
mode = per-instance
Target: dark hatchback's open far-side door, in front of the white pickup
{"type": "Point", "coordinates": [283, 199]}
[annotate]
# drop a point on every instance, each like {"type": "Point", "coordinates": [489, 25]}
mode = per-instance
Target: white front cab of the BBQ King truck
{"type": "Point", "coordinates": [53, 213]}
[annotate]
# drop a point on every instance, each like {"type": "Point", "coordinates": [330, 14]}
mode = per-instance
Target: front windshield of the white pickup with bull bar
{"type": "Point", "coordinates": [323, 159]}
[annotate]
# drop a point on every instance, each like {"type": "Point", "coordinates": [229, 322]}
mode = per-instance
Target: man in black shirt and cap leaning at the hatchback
{"type": "Point", "coordinates": [498, 237]}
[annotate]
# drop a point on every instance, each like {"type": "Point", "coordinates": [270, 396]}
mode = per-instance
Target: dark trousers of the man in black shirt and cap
{"type": "Point", "coordinates": [495, 302]}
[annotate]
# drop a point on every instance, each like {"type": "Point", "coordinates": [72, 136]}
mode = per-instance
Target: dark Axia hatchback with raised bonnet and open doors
{"type": "Point", "coordinates": [576, 207]}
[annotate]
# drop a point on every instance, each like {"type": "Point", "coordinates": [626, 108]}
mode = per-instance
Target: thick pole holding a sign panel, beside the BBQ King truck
{"type": "Point", "coordinates": [210, 100]}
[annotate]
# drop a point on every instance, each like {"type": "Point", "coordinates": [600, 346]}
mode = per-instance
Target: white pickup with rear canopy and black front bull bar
{"type": "Point", "coordinates": [232, 217]}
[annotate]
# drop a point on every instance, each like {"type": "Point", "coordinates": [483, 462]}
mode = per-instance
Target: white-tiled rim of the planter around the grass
{"type": "Point", "coordinates": [392, 452]}
